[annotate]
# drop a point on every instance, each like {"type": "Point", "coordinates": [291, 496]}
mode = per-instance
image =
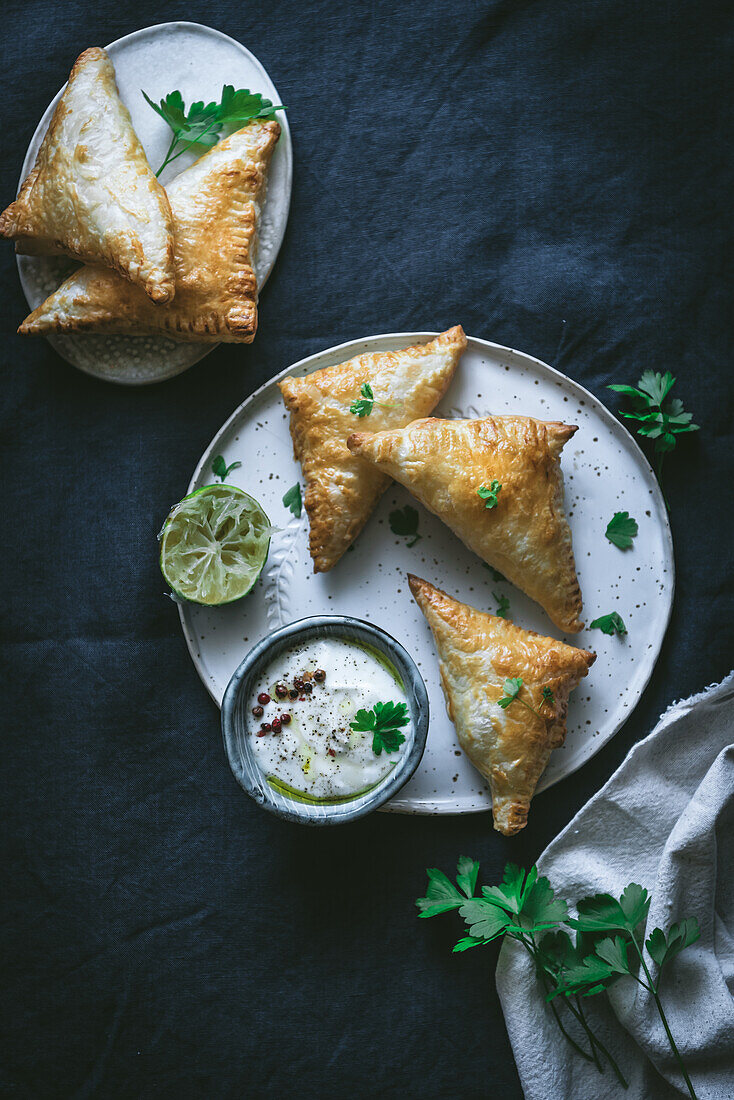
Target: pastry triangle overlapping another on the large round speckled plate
{"type": "Point", "coordinates": [525, 535]}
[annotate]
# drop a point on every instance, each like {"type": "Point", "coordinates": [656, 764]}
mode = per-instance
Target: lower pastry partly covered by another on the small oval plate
{"type": "Point", "coordinates": [216, 208]}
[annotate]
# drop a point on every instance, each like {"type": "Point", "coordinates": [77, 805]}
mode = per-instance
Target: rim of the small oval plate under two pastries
{"type": "Point", "coordinates": [29, 160]}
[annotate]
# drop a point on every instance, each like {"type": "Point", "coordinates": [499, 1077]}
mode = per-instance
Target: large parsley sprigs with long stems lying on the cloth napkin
{"type": "Point", "coordinates": [608, 947]}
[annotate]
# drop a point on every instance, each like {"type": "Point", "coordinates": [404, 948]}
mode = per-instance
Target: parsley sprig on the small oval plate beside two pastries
{"type": "Point", "coordinates": [204, 123]}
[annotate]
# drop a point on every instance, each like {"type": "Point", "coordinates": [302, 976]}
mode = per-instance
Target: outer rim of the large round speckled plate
{"type": "Point", "coordinates": [431, 807]}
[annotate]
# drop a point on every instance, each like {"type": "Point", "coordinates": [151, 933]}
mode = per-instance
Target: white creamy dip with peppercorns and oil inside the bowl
{"type": "Point", "coordinates": [310, 749]}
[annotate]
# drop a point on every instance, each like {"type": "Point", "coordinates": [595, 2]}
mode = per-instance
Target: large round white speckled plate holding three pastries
{"type": "Point", "coordinates": [605, 472]}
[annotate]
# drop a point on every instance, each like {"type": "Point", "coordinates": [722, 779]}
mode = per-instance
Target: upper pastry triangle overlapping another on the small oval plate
{"type": "Point", "coordinates": [92, 193]}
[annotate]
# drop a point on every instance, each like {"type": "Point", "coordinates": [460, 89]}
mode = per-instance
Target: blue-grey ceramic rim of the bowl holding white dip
{"type": "Point", "coordinates": [415, 691]}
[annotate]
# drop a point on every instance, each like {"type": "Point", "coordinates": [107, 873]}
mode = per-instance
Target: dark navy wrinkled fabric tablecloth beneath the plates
{"type": "Point", "coordinates": [556, 177]}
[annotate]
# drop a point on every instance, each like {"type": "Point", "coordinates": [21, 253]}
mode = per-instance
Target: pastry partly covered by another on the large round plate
{"type": "Point", "coordinates": [342, 491]}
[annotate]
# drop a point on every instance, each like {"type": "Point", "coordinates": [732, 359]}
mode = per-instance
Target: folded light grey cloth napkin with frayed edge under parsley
{"type": "Point", "coordinates": [664, 820]}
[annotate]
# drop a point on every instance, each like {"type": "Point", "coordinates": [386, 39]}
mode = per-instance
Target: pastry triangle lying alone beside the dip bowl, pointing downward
{"type": "Point", "coordinates": [477, 653]}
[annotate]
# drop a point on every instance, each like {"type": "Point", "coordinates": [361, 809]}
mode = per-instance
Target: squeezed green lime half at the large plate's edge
{"type": "Point", "coordinates": [214, 545]}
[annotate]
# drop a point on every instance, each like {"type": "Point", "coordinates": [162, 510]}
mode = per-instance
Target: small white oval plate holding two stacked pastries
{"type": "Point", "coordinates": [199, 61]}
